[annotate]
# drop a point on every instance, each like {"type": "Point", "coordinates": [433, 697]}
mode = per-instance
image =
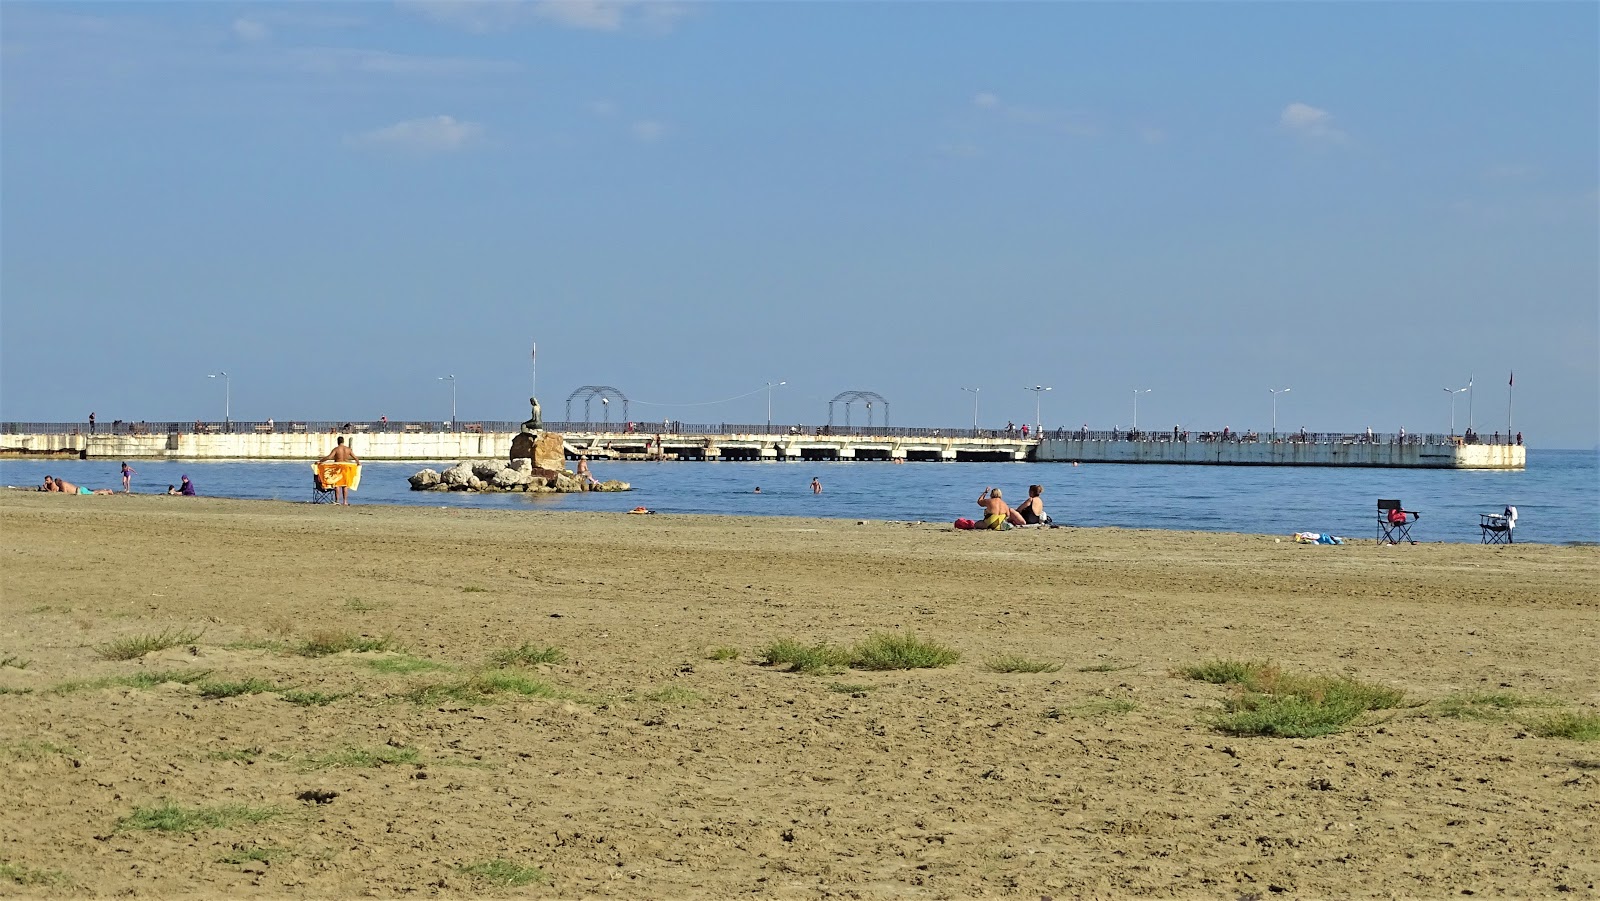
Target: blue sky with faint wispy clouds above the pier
{"type": "Point", "coordinates": [337, 206]}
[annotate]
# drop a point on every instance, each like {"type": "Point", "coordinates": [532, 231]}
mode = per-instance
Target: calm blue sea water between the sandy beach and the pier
{"type": "Point", "coordinates": [1558, 497]}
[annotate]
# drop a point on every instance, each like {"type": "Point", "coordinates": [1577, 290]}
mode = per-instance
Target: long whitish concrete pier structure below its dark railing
{"type": "Point", "coordinates": [910, 446]}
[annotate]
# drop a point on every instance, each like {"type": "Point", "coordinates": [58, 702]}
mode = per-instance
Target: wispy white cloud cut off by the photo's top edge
{"type": "Point", "coordinates": [482, 17]}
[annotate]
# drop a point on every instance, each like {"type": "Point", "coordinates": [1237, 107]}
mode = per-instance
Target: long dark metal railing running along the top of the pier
{"type": "Point", "coordinates": [679, 428]}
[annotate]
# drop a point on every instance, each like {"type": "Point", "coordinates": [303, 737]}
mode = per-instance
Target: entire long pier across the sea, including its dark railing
{"type": "Point", "coordinates": [439, 442]}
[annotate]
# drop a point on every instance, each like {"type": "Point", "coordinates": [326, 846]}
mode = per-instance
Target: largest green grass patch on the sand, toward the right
{"type": "Point", "coordinates": [1273, 703]}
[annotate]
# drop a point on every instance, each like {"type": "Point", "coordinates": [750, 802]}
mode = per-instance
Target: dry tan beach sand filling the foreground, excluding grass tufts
{"type": "Point", "coordinates": [663, 774]}
